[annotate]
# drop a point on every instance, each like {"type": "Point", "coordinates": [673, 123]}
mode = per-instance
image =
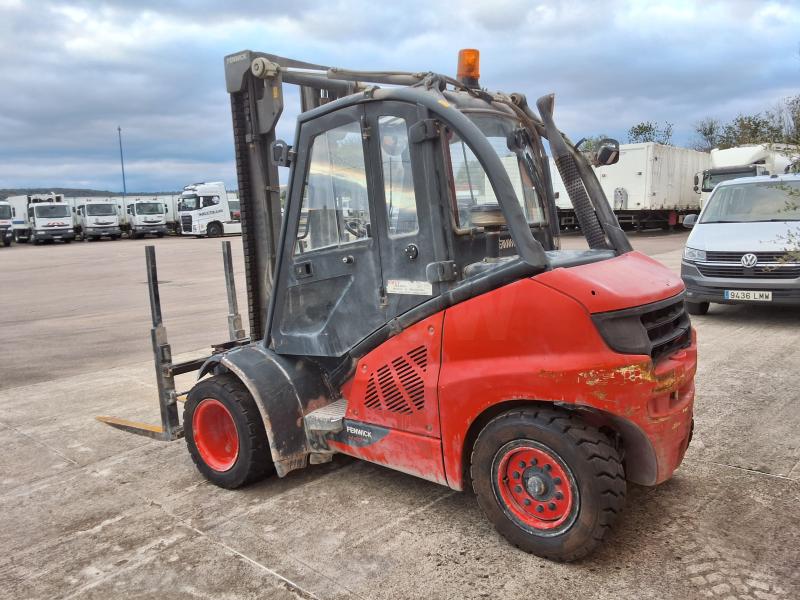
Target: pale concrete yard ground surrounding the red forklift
{"type": "Point", "coordinates": [87, 511]}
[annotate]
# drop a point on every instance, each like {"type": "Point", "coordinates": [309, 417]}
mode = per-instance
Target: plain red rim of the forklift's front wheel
{"type": "Point", "coordinates": [214, 433]}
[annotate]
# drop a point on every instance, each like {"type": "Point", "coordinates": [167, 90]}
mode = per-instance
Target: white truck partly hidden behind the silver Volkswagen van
{"type": "Point", "coordinates": [751, 160]}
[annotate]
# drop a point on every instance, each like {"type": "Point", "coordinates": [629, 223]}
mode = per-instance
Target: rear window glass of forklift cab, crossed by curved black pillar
{"type": "Point", "coordinates": [472, 184]}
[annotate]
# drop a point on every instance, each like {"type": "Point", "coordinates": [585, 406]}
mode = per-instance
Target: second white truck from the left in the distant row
{"type": "Point", "coordinates": [40, 218]}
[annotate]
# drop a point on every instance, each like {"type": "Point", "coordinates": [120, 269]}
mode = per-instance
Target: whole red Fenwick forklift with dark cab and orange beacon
{"type": "Point", "coordinates": [409, 305]}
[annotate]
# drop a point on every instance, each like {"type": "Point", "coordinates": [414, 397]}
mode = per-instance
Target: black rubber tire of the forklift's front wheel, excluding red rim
{"type": "Point", "coordinates": [254, 460]}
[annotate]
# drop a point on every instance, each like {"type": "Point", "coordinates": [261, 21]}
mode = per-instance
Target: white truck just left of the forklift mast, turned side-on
{"type": "Point", "coordinates": [205, 209]}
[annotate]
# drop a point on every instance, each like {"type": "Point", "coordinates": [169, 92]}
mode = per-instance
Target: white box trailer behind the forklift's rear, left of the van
{"type": "Point", "coordinates": [650, 186]}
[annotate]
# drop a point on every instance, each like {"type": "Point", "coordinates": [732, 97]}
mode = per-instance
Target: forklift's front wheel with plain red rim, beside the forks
{"type": "Point", "coordinates": [225, 434]}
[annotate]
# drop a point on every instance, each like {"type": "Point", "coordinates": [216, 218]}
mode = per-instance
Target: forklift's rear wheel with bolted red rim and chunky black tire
{"type": "Point", "coordinates": [549, 483]}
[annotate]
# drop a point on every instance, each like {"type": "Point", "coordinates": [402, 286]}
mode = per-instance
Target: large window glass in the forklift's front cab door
{"type": "Point", "coordinates": [335, 209]}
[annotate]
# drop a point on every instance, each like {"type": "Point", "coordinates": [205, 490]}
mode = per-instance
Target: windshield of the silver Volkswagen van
{"type": "Point", "coordinates": [754, 202]}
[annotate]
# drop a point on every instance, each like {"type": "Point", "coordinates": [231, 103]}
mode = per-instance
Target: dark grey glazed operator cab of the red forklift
{"type": "Point", "coordinates": [392, 208]}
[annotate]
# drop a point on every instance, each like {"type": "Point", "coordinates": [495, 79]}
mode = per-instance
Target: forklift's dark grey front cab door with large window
{"type": "Point", "coordinates": [328, 293]}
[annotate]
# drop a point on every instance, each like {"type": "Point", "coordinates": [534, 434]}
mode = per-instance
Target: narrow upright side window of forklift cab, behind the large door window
{"type": "Point", "coordinates": [398, 180]}
